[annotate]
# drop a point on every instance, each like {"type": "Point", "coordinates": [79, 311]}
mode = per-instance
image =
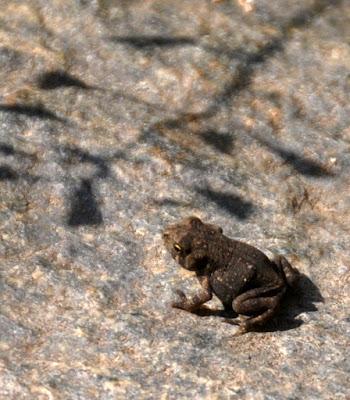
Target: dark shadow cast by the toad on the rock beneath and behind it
{"type": "Point", "coordinates": [301, 299]}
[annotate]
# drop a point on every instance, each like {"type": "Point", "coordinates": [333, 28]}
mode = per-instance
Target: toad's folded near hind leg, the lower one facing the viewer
{"type": "Point", "coordinates": [262, 302]}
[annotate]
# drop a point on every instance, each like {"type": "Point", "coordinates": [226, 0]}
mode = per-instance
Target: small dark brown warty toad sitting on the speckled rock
{"type": "Point", "coordinates": [240, 275]}
